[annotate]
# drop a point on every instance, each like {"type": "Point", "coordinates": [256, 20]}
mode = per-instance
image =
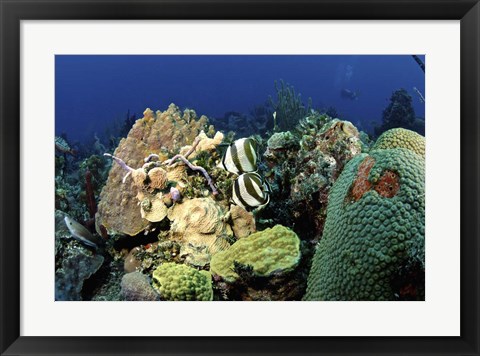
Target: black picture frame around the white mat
{"type": "Point", "coordinates": [11, 14]}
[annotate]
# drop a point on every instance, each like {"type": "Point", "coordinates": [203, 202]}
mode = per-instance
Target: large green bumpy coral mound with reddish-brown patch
{"type": "Point", "coordinates": [373, 241]}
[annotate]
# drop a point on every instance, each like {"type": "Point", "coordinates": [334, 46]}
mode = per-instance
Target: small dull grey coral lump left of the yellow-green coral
{"type": "Point", "coordinates": [136, 287]}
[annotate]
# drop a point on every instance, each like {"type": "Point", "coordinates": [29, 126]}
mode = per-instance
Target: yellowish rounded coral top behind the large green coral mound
{"type": "Point", "coordinates": [401, 138]}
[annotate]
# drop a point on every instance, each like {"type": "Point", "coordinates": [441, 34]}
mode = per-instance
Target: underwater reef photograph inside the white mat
{"type": "Point", "coordinates": [240, 177]}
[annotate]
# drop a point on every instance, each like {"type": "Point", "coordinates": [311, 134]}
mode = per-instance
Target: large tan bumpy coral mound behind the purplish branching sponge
{"type": "Point", "coordinates": [162, 133]}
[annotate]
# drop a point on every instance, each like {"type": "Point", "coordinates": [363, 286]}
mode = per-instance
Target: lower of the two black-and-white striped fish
{"type": "Point", "coordinates": [249, 191]}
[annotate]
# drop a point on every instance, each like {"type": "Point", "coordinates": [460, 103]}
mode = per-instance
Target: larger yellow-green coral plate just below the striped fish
{"type": "Point", "coordinates": [272, 250]}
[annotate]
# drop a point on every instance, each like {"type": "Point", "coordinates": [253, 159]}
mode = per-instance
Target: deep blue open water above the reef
{"type": "Point", "coordinates": [91, 92]}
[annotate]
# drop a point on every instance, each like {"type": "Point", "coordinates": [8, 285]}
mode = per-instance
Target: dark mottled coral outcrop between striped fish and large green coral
{"type": "Point", "coordinates": [304, 164]}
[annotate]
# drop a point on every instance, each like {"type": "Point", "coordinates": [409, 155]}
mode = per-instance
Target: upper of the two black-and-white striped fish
{"type": "Point", "coordinates": [240, 157]}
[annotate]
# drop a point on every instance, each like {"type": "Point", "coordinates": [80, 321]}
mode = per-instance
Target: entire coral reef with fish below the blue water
{"type": "Point", "coordinates": [311, 211]}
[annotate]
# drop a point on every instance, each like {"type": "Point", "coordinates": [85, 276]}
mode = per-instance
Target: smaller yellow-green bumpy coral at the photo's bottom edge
{"type": "Point", "coordinates": [181, 282]}
